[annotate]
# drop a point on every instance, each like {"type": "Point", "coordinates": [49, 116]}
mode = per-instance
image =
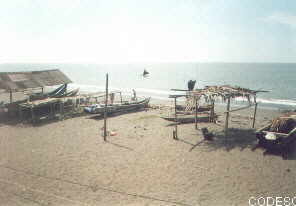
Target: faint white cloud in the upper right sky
{"type": "Point", "coordinates": [282, 18]}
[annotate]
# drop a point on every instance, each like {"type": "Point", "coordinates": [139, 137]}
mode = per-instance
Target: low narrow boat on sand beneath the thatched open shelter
{"type": "Point", "coordinates": [204, 117]}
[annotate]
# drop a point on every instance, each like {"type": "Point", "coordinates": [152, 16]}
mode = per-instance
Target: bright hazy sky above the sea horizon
{"type": "Point", "coordinates": [125, 31]}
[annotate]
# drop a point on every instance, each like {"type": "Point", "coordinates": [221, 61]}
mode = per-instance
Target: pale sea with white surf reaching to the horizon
{"type": "Point", "coordinates": [278, 78]}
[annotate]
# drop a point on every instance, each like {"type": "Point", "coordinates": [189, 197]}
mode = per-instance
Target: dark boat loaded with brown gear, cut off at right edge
{"type": "Point", "coordinates": [279, 134]}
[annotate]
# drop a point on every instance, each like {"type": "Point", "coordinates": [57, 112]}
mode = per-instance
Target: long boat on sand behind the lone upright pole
{"type": "Point", "coordinates": [118, 107]}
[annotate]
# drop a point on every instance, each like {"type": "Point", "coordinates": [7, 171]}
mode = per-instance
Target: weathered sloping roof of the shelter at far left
{"type": "Point", "coordinates": [20, 81]}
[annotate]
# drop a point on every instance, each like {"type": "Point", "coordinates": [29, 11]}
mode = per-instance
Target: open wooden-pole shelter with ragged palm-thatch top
{"type": "Point", "coordinates": [226, 93]}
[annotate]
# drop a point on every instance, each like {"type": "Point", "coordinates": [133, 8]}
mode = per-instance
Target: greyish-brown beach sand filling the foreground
{"type": "Point", "coordinates": [68, 163]}
